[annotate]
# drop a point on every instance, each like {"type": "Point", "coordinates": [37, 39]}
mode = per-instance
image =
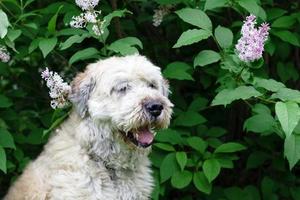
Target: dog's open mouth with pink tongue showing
{"type": "Point", "coordinates": [142, 137]}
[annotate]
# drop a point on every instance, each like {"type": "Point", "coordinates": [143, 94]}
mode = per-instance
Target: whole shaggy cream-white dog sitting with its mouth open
{"type": "Point", "coordinates": [100, 151]}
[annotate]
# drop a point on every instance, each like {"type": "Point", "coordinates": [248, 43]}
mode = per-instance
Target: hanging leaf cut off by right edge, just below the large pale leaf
{"type": "Point", "coordinates": [292, 149]}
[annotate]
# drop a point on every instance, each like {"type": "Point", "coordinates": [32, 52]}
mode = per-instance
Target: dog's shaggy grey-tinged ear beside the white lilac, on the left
{"type": "Point", "coordinates": [81, 88]}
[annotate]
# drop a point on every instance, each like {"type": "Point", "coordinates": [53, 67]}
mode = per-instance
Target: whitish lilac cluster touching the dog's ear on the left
{"type": "Point", "coordinates": [59, 89]}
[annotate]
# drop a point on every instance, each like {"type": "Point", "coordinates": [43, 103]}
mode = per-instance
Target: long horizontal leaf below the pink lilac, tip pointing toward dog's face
{"type": "Point", "coordinates": [227, 96]}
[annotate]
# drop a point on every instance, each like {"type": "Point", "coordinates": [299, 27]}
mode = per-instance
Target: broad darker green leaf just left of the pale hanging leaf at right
{"type": "Point", "coordinates": [260, 123]}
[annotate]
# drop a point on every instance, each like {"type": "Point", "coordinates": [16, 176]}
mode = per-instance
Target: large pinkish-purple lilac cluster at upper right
{"type": "Point", "coordinates": [251, 45]}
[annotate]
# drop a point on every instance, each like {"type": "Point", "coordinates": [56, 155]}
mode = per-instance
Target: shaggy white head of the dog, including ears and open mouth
{"type": "Point", "coordinates": [129, 93]}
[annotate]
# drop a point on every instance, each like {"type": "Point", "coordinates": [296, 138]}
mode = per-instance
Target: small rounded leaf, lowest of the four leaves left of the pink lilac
{"type": "Point", "coordinates": [206, 57]}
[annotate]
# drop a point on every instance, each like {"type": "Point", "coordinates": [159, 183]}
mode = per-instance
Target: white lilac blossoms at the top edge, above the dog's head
{"type": "Point", "coordinates": [89, 15]}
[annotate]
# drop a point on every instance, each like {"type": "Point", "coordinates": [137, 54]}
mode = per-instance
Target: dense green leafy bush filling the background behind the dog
{"type": "Point", "coordinates": [235, 132]}
